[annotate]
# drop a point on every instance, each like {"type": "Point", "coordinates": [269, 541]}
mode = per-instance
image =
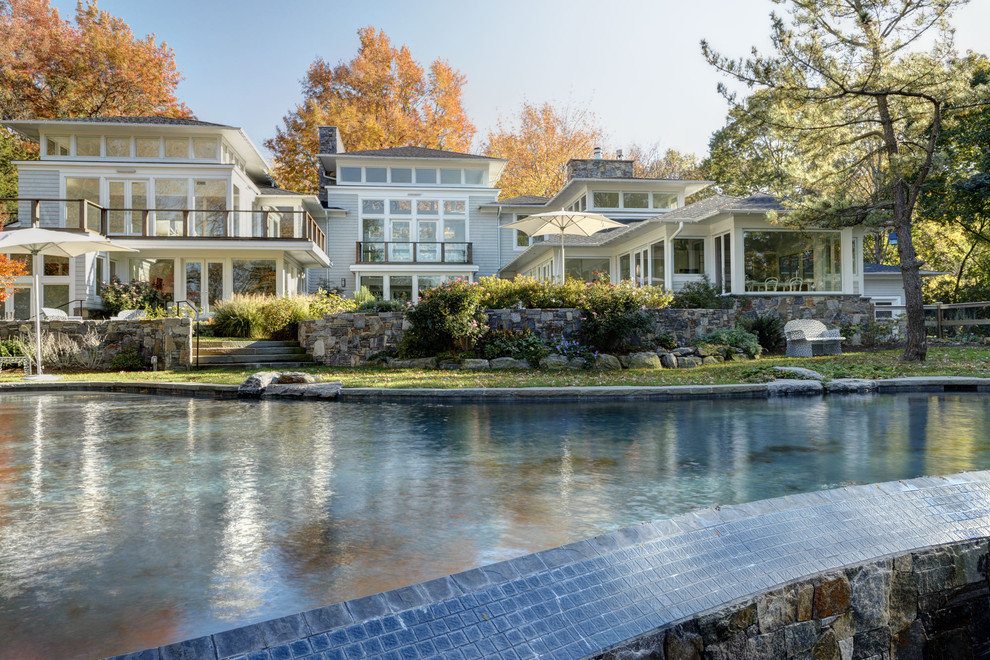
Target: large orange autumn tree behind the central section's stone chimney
{"type": "Point", "coordinates": [382, 98]}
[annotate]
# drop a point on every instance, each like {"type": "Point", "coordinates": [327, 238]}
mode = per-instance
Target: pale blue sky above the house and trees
{"type": "Point", "coordinates": [635, 63]}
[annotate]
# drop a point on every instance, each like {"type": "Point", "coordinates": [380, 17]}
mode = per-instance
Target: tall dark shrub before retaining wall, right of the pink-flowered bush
{"type": "Point", "coordinates": [611, 315]}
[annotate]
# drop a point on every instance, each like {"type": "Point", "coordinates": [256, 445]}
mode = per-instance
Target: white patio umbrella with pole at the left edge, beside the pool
{"type": "Point", "coordinates": [38, 242]}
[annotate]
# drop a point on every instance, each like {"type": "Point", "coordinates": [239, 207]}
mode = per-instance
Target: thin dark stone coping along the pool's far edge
{"type": "Point", "coordinates": [779, 387]}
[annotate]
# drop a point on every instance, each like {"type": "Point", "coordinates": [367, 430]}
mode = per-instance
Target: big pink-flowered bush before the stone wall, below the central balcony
{"type": "Point", "coordinates": [447, 318]}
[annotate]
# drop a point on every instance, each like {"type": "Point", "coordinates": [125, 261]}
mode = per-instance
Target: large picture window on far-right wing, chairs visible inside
{"type": "Point", "coordinates": [792, 261]}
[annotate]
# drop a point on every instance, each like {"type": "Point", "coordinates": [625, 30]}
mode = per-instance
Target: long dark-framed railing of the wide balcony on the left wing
{"type": "Point", "coordinates": [165, 223]}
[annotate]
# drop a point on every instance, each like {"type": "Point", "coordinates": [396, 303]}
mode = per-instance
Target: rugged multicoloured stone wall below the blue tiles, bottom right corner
{"type": "Point", "coordinates": [933, 603]}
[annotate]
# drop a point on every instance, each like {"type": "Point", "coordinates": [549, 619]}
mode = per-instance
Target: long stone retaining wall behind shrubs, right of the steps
{"type": "Point", "coordinates": [351, 339]}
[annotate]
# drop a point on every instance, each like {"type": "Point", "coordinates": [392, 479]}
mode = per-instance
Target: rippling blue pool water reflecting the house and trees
{"type": "Point", "coordinates": [132, 521]}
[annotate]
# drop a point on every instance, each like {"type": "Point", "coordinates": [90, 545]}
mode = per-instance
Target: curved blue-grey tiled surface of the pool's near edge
{"type": "Point", "coordinates": [593, 596]}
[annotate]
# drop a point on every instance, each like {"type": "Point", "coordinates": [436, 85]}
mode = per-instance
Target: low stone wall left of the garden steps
{"type": "Point", "coordinates": [93, 344]}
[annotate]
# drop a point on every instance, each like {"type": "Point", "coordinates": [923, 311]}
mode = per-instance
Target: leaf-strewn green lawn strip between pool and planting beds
{"type": "Point", "coordinates": [942, 361]}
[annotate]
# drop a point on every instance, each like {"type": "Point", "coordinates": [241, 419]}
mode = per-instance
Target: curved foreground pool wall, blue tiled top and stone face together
{"type": "Point", "coordinates": [891, 571]}
